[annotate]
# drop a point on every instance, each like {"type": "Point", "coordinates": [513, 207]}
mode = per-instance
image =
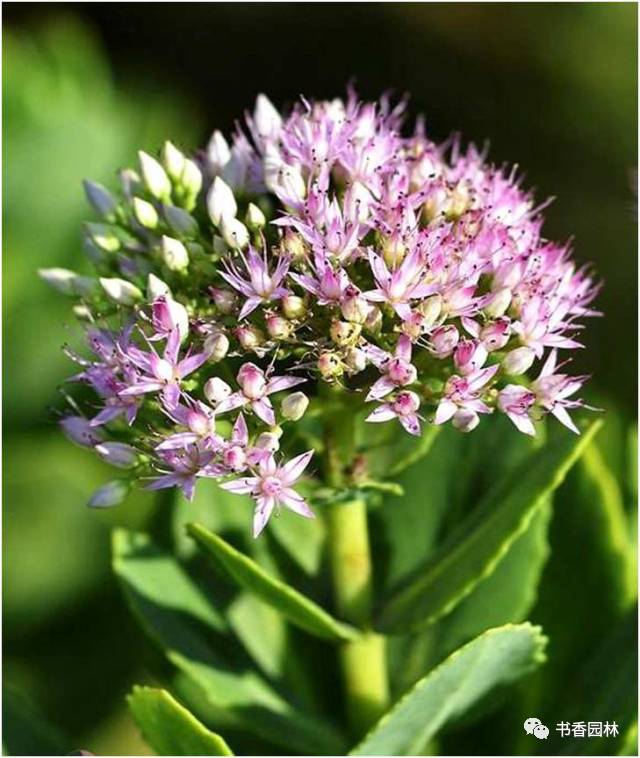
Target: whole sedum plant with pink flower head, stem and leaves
{"type": "Point", "coordinates": [282, 324]}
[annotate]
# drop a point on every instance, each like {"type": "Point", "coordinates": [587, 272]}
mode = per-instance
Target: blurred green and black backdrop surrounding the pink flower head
{"type": "Point", "coordinates": [553, 86]}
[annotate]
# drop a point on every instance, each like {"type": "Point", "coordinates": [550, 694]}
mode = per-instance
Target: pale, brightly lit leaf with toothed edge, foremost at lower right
{"type": "Point", "coordinates": [497, 657]}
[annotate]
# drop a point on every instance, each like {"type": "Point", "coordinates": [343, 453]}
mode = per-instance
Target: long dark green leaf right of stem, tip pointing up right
{"type": "Point", "coordinates": [476, 547]}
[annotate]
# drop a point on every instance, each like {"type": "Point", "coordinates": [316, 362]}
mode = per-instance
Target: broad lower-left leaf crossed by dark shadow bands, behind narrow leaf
{"type": "Point", "coordinates": [196, 639]}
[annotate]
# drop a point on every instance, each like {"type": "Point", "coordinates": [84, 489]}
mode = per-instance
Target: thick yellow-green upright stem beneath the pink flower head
{"type": "Point", "coordinates": [363, 660]}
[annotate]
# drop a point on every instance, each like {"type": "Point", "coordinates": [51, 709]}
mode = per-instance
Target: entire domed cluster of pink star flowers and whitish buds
{"type": "Point", "coordinates": [320, 247]}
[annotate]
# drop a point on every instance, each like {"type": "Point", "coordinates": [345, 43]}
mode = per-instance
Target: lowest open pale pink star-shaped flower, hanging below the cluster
{"type": "Point", "coordinates": [271, 488]}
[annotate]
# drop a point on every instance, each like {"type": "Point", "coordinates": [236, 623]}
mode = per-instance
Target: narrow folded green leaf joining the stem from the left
{"type": "Point", "coordinates": [297, 608]}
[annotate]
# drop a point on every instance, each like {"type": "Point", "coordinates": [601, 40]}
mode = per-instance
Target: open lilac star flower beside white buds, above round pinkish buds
{"type": "Point", "coordinates": [261, 286]}
